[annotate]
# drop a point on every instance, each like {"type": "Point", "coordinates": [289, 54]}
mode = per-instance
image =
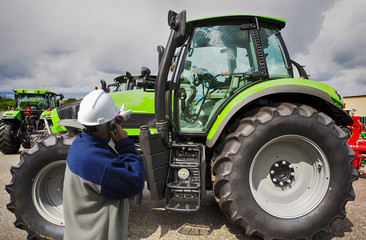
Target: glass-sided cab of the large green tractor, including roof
{"type": "Point", "coordinates": [241, 52]}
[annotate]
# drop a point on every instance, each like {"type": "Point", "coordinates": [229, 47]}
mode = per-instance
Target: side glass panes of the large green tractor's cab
{"type": "Point", "coordinates": [220, 61]}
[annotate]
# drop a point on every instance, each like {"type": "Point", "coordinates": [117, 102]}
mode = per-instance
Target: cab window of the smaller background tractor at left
{"type": "Point", "coordinates": [35, 102]}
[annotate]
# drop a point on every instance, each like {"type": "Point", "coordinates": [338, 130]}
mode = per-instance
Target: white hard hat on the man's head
{"type": "Point", "coordinates": [97, 108]}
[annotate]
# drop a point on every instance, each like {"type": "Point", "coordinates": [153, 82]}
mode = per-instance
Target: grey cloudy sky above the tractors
{"type": "Point", "coordinates": [68, 46]}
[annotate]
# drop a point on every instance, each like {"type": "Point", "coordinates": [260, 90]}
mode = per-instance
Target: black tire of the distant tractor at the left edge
{"type": "Point", "coordinates": [8, 143]}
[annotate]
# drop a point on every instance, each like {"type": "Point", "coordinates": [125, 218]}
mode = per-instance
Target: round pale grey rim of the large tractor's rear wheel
{"type": "Point", "coordinates": [289, 176]}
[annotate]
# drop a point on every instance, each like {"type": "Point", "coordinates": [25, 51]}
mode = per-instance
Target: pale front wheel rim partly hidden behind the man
{"type": "Point", "coordinates": [47, 192]}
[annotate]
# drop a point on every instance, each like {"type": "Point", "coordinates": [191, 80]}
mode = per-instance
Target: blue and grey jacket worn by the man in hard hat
{"type": "Point", "coordinates": [97, 186]}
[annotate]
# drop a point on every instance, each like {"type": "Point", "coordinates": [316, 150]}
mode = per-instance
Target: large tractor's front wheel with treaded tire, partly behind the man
{"type": "Point", "coordinates": [36, 188]}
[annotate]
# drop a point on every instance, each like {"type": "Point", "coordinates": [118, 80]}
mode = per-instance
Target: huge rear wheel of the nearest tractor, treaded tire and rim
{"type": "Point", "coordinates": [286, 172]}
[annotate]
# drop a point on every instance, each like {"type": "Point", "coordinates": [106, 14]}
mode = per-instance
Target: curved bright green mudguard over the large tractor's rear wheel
{"type": "Point", "coordinates": [269, 89]}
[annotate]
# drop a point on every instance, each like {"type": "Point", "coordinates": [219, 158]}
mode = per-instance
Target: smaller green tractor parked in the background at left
{"type": "Point", "coordinates": [29, 121]}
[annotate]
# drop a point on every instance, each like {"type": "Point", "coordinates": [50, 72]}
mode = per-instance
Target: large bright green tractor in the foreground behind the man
{"type": "Point", "coordinates": [231, 123]}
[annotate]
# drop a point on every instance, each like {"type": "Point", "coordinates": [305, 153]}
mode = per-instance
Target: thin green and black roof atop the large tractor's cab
{"type": "Point", "coordinates": [279, 22]}
